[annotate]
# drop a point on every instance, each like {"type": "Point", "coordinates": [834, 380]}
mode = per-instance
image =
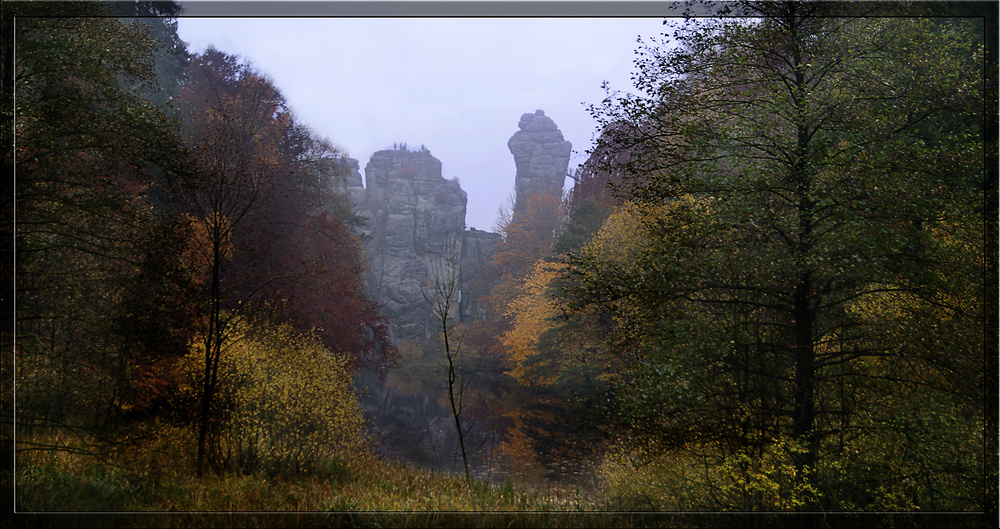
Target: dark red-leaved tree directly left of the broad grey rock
{"type": "Point", "coordinates": [316, 261]}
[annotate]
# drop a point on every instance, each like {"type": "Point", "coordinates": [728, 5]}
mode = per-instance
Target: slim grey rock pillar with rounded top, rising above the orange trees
{"type": "Point", "coordinates": [541, 157]}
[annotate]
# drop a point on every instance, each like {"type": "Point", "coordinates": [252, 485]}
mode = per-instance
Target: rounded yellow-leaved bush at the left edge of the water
{"type": "Point", "coordinates": [285, 403]}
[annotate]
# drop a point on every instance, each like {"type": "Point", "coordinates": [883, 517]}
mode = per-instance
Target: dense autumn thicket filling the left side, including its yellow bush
{"type": "Point", "coordinates": [170, 207]}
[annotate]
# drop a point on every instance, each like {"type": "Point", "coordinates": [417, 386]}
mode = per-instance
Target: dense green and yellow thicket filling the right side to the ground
{"type": "Point", "coordinates": [796, 278]}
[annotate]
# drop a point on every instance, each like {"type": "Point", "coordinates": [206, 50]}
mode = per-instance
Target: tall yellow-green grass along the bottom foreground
{"type": "Point", "coordinates": [366, 491]}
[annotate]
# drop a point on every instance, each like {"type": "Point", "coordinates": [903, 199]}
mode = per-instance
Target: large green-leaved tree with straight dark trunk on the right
{"type": "Point", "coordinates": [804, 170]}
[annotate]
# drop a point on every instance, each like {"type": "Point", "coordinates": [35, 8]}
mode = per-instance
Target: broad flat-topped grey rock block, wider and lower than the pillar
{"type": "Point", "coordinates": [414, 231]}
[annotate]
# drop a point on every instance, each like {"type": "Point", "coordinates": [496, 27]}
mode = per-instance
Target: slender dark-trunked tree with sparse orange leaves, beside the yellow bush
{"type": "Point", "coordinates": [233, 135]}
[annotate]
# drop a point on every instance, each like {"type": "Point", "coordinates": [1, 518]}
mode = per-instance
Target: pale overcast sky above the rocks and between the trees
{"type": "Point", "coordinates": [456, 85]}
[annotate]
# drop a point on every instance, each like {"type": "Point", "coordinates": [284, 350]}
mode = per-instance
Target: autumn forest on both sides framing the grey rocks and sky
{"type": "Point", "coordinates": [769, 298]}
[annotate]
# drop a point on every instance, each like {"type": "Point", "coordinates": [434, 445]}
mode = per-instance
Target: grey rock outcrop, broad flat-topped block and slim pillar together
{"type": "Point", "coordinates": [415, 223]}
